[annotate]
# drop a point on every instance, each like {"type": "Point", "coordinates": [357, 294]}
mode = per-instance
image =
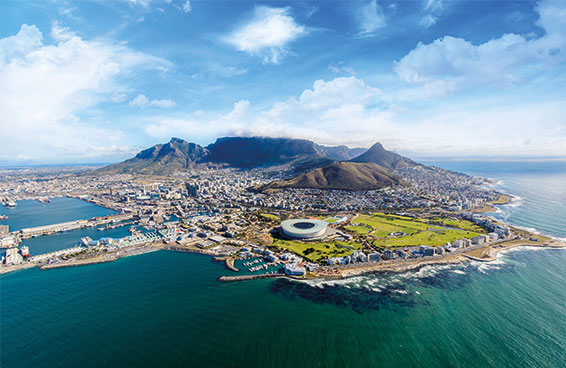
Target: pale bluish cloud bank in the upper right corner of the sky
{"type": "Point", "coordinates": [509, 59]}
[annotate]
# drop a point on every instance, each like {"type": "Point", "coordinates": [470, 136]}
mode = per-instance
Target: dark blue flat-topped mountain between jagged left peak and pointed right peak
{"type": "Point", "coordinates": [252, 152]}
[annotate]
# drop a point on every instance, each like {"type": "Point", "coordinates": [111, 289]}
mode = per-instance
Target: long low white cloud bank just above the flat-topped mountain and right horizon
{"type": "Point", "coordinates": [349, 111]}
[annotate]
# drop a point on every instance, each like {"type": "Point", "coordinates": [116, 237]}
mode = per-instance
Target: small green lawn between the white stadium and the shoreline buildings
{"type": "Point", "coordinates": [317, 251]}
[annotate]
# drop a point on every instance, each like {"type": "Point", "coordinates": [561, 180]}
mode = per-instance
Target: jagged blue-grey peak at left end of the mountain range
{"type": "Point", "coordinates": [161, 159]}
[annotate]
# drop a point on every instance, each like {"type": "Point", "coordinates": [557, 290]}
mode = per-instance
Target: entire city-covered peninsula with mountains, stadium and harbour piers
{"type": "Point", "coordinates": [277, 207]}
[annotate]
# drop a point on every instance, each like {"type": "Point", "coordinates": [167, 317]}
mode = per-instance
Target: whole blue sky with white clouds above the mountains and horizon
{"type": "Point", "coordinates": [96, 81]}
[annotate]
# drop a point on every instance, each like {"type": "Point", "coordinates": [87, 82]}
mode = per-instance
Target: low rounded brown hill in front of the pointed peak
{"type": "Point", "coordinates": [339, 175]}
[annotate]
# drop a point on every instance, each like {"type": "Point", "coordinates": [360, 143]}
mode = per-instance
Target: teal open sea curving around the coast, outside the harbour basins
{"type": "Point", "coordinates": [167, 309]}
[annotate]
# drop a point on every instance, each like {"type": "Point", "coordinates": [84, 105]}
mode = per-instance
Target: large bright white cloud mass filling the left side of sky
{"type": "Point", "coordinates": [46, 88]}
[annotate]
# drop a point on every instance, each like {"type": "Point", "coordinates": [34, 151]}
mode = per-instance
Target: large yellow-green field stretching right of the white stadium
{"type": "Point", "coordinates": [419, 231]}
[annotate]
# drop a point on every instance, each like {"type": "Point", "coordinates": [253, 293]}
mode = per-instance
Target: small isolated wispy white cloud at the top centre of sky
{"type": "Point", "coordinates": [267, 34]}
